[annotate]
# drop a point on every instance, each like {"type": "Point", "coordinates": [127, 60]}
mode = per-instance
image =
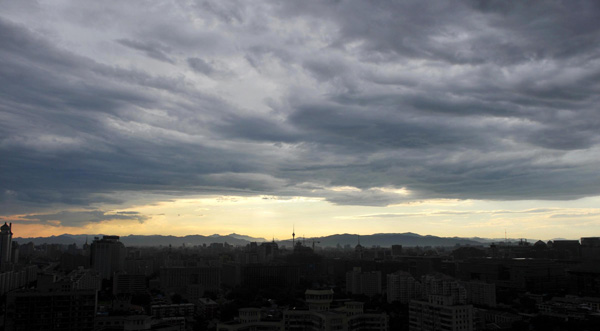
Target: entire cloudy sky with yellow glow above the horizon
{"type": "Point", "coordinates": [450, 118]}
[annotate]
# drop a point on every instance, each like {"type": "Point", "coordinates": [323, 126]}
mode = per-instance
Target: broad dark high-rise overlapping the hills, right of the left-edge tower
{"type": "Point", "coordinates": [107, 256]}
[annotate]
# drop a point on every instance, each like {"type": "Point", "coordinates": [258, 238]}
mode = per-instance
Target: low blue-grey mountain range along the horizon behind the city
{"type": "Point", "coordinates": [407, 239]}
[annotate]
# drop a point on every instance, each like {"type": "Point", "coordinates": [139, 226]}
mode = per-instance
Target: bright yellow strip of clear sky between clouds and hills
{"type": "Point", "coordinates": [268, 216]}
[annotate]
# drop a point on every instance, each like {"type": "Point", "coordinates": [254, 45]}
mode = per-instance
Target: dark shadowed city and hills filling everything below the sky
{"type": "Point", "coordinates": [299, 284]}
